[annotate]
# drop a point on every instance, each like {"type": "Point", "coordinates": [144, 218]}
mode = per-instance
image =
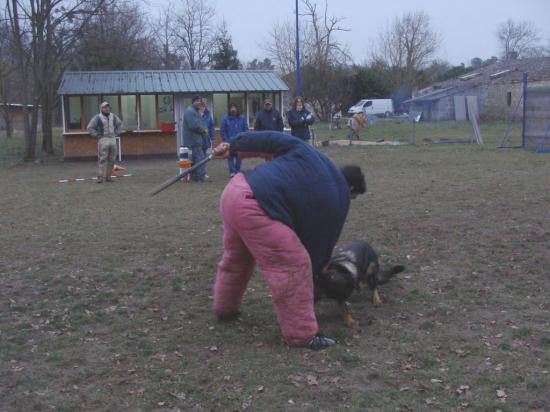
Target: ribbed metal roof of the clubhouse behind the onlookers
{"type": "Point", "coordinates": [169, 81]}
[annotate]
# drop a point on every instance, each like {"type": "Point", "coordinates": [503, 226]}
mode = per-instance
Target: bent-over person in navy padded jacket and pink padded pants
{"type": "Point", "coordinates": [285, 214]}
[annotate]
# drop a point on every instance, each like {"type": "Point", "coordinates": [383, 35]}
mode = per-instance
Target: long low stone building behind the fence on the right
{"type": "Point", "coordinates": [498, 87]}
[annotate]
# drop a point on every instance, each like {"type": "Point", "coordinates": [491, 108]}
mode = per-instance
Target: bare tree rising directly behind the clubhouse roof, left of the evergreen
{"type": "Point", "coordinates": [194, 32]}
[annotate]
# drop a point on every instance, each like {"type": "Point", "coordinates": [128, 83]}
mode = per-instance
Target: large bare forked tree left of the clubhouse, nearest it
{"type": "Point", "coordinates": [44, 34]}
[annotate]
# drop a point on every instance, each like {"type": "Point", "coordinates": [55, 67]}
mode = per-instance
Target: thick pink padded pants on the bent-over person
{"type": "Point", "coordinates": [251, 236]}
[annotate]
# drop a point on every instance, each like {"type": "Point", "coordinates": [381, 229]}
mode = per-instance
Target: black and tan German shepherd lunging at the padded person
{"type": "Point", "coordinates": [352, 265]}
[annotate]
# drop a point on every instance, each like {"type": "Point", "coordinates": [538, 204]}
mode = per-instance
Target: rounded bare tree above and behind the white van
{"type": "Point", "coordinates": [407, 46]}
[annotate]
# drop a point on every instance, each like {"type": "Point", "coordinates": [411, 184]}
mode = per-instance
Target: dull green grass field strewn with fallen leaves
{"type": "Point", "coordinates": [105, 293]}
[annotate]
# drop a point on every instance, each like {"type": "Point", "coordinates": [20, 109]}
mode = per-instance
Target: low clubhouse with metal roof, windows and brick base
{"type": "Point", "coordinates": [151, 104]}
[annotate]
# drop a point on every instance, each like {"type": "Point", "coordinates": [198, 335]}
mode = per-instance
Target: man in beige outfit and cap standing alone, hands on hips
{"type": "Point", "coordinates": [105, 126]}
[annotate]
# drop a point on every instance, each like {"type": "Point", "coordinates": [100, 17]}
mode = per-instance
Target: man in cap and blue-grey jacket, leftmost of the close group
{"type": "Point", "coordinates": [194, 132]}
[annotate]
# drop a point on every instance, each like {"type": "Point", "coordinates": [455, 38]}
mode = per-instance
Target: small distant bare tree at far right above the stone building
{"type": "Point", "coordinates": [518, 39]}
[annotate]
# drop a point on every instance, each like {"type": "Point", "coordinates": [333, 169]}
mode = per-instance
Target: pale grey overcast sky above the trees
{"type": "Point", "coordinates": [467, 27]}
